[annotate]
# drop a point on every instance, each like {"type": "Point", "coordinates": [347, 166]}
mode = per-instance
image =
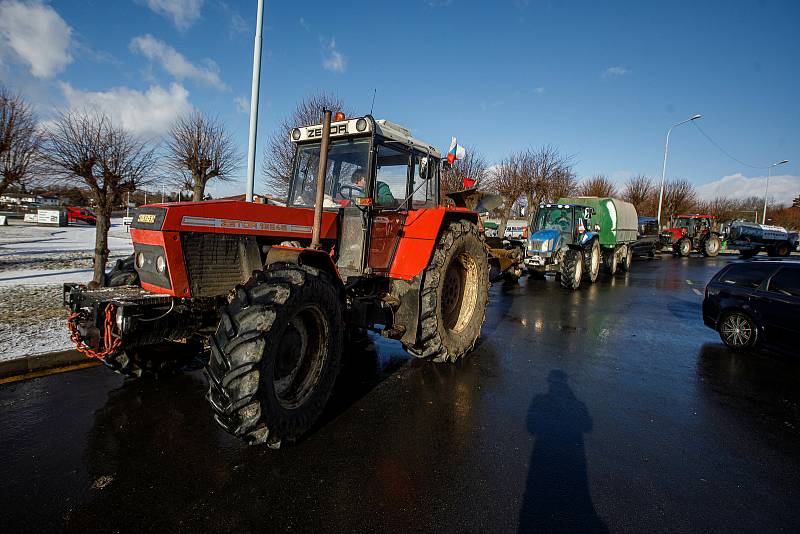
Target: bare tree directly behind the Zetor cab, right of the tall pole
{"type": "Point", "coordinates": [279, 150]}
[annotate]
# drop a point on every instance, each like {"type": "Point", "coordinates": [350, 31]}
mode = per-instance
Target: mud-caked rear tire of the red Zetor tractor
{"type": "Point", "coordinates": [454, 293]}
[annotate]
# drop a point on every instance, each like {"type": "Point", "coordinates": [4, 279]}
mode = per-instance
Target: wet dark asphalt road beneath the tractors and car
{"type": "Point", "coordinates": [608, 409]}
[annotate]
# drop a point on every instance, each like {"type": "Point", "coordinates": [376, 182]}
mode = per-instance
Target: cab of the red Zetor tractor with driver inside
{"type": "Point", "coordinates": [377, 176]}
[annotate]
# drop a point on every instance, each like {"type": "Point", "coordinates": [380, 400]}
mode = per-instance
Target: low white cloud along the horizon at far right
{"type": "Point", "coordinates": [782, 188]}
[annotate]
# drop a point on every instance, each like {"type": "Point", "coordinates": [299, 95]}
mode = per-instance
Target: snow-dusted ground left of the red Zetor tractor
{"type": "Point", "coordinates": [34, 263]}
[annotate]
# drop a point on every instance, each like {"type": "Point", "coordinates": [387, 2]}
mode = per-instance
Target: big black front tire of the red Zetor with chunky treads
{"type": "Point", "coordinates": [276, 354]}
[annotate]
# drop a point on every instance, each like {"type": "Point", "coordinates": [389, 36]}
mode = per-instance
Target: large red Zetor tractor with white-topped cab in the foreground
{"type": "Point", "coordinates": [271, 293]}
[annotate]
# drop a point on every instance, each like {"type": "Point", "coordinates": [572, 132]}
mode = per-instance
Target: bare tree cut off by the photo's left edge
{"type": "Point", "coordinates": [20, 140]}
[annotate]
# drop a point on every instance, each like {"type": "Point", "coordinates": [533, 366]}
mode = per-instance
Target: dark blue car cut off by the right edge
{"type": "Point", "coordinates": [756, 303]}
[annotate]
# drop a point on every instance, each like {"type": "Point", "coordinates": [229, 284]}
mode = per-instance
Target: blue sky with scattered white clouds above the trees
{"type": "Point", "coordinates": [600, 80]}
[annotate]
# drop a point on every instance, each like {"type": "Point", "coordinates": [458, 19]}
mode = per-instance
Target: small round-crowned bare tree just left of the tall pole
{"type": "Point", "coordinates": [199, 150]}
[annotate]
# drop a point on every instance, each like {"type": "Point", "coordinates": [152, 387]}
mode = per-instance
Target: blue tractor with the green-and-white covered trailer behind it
{"type": "Point", "coordinates": [574, 236]}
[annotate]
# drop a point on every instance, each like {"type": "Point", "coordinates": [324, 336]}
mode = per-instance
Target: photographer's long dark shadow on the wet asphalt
{"type": "Point", "coordinates": [557, 497]}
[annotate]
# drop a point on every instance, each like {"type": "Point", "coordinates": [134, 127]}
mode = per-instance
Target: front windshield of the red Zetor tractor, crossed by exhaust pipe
{"type": "Point", "coordinates": [346, 177]}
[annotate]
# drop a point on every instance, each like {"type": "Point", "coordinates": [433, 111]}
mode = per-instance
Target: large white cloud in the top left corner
{"type": "Point", "coordinates": [34, 34]}
